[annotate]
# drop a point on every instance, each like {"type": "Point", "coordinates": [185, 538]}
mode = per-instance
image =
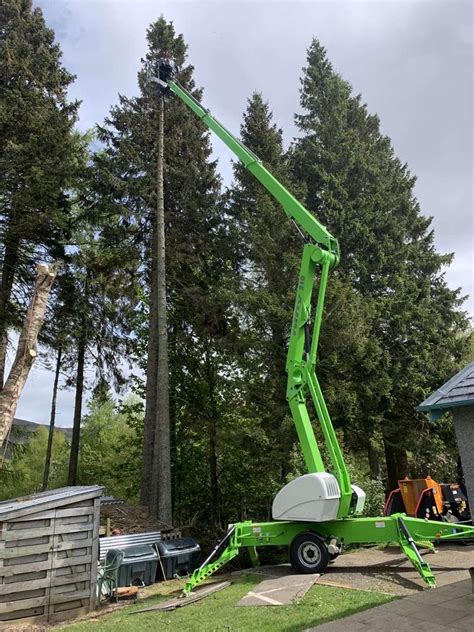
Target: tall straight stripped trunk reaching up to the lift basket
{"type": "Point", "coordinates": [160, 501]}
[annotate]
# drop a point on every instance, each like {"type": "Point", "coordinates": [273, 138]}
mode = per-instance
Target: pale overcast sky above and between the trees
{"type": "Point", "coordinates": [411, 61]}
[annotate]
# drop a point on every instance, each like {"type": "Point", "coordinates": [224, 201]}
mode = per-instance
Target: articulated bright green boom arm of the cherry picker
{"type": "Point", "coordinates": [321, 252]}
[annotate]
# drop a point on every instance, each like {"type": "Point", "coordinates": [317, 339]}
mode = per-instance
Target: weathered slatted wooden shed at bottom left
{"type": "Point", "coordinates": [49, 546]}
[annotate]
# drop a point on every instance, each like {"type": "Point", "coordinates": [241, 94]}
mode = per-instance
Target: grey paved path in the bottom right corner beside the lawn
{"type": "Point", "coordinates": [449, 608]}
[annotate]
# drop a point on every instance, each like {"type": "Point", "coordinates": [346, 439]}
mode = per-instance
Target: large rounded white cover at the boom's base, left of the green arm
{"type": "Point", "coordinates": [309, 498]}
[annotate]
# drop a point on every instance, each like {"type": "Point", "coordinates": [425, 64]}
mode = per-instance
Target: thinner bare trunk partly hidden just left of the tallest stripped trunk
{"type": "Point", "coordinates": [151, 374]}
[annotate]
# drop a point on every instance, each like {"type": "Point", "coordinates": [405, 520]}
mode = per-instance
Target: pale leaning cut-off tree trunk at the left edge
{"type": "Point", "coordinates": [26, 350]}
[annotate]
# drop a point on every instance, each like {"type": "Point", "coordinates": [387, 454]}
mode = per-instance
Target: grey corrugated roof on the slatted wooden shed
{"type": "Point", "coordinates": [46, 500]}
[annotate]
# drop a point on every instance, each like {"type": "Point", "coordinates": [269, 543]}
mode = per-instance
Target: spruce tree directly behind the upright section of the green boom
{"type": "Point", "coordinates": [271, 252]}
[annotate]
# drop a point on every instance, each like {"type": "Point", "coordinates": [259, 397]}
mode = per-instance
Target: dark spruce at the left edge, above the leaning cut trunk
{"type": "Point", "coordinates": [38, 154]}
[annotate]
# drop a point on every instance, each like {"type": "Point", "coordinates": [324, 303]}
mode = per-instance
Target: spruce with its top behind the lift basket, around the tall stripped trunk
{"type": "Point", "coordinates": [130, 135]}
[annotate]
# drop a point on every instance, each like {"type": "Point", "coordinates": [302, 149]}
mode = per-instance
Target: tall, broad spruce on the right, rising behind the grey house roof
{"type": "Point", "coordinates": [364, 194]}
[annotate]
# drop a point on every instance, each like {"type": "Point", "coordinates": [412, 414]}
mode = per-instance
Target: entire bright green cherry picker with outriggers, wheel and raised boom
{"type": "Point", "coordinates": [314, 515]}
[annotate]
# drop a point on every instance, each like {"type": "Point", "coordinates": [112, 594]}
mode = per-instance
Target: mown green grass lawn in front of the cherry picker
{"type": "Point", "coordinates": [219, 612]}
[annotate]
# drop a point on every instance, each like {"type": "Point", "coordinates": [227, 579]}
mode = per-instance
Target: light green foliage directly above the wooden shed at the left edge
{"type": "Point", "coordinates": [24, 473]}
